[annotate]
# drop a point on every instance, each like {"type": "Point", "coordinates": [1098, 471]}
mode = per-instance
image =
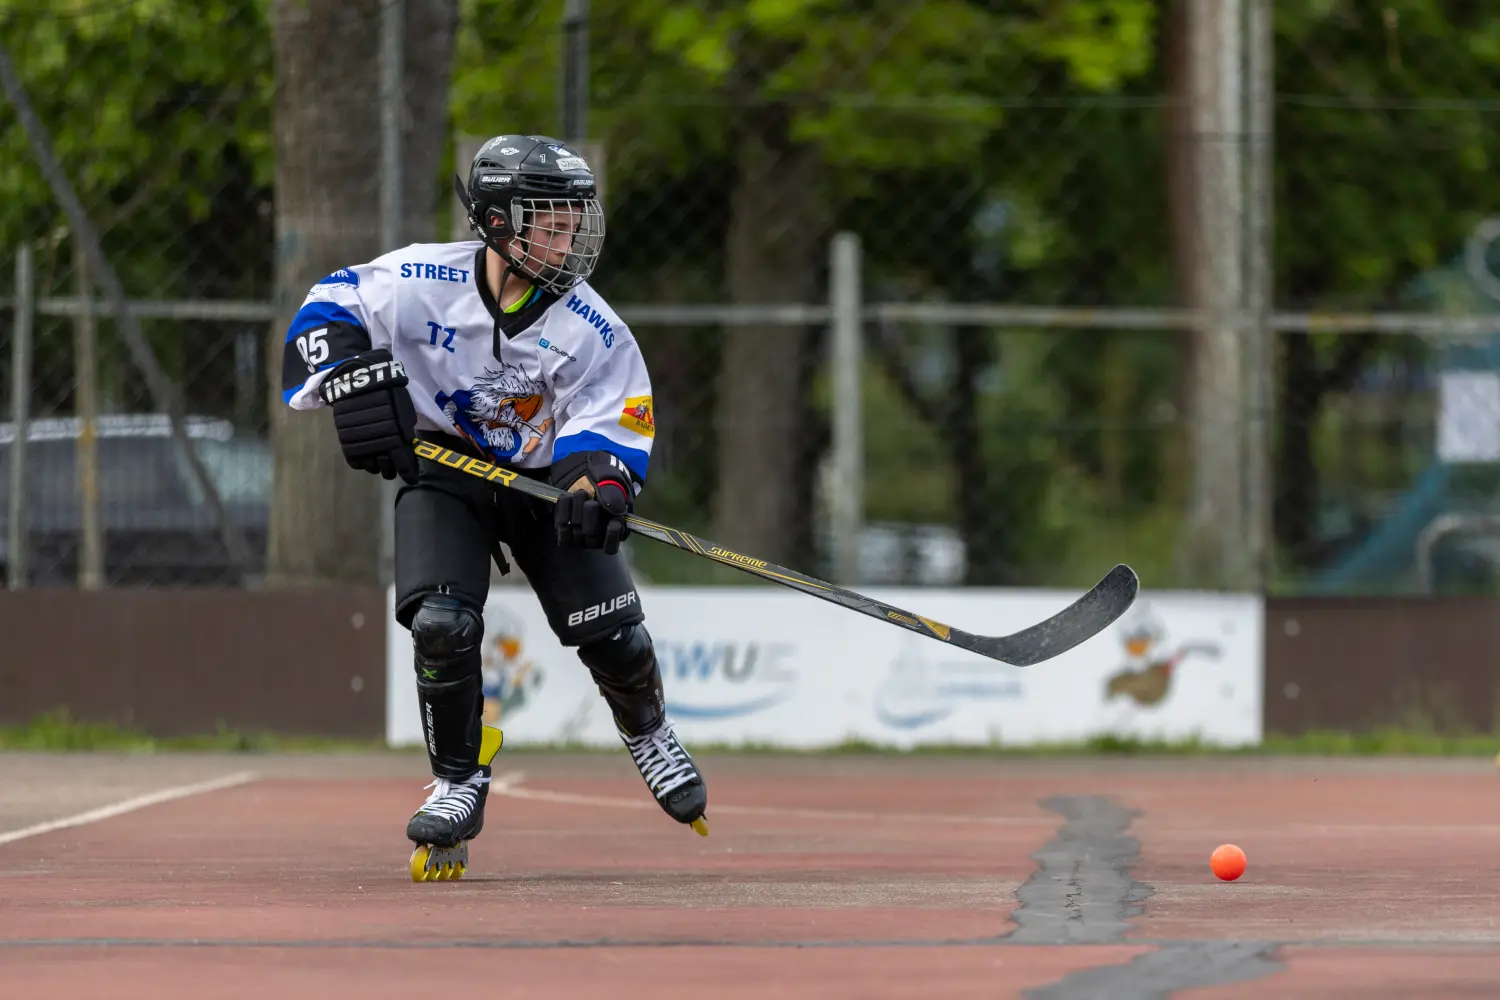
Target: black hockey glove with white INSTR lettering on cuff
{"type": "Point", "coordinates": [374, 416]}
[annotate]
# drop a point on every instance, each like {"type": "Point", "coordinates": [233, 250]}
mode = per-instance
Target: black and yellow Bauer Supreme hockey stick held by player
{"type": "Point", "coordinates": [1082, 620]}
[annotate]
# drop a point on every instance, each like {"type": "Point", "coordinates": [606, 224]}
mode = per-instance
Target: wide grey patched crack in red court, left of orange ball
{"type": "Point", "coordinates": [1084, 894]}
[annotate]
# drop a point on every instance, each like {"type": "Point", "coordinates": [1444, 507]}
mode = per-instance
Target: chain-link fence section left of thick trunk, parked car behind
{"type": "Point", "coordinates": [158, 119]}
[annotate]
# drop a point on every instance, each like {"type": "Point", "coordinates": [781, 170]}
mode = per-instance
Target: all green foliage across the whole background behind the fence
{"type": "Point", "coordinates": [982, 151]}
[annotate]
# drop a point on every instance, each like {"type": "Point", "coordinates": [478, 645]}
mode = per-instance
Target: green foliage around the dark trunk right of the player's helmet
{"type": "Point", "coordinates": [904, 104]}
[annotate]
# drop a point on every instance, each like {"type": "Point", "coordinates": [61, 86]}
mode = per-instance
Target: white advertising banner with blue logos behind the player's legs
{"type": "Point", "coordinates": [761, 666]}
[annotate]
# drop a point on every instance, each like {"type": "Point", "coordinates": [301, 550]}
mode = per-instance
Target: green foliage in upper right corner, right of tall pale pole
{"type": "Point", "coordinates": [1387, 143]}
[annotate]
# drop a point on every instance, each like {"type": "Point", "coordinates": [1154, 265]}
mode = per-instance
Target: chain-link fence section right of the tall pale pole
{"type": "Point", "coordinates": [1385, 149]}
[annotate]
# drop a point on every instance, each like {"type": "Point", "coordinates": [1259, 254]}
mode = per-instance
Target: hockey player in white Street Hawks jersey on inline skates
{"type": "Point", "coordinates": [499, 349]}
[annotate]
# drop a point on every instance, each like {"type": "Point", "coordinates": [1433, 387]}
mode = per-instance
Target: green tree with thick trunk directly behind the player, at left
{"type": "Point", "coordinates": [163, 115]}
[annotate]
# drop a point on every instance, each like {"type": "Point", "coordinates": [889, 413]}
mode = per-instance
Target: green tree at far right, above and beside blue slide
{"type": "Point", "coordinates": [1387, 149]}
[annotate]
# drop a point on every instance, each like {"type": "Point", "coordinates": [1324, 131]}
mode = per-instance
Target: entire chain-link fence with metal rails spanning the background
{"type": "Point", "coordinates": [1202, 286]}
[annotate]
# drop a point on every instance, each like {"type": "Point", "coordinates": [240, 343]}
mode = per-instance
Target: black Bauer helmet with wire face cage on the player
{"type": "Point", "coordinates": [532, 190]}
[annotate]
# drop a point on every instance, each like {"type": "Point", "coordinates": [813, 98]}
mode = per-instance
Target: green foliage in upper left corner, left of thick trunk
{"type": "Point", "coordinates": [160, 113]}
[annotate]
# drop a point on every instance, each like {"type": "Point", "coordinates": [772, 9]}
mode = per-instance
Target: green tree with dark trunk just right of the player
{"type": "Point", "coordinates": [763, 122]}
